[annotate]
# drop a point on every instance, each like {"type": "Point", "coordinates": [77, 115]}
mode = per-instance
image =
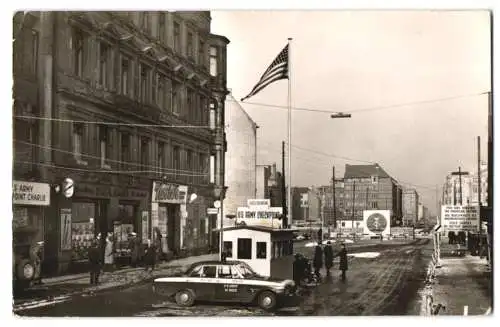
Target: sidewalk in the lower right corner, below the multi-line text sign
{"type": "Point", "coordinates": [462, 284]}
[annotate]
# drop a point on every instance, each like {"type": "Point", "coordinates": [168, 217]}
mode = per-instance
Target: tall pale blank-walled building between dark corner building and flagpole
{"type": "Point", "coordinates": [241, 135]}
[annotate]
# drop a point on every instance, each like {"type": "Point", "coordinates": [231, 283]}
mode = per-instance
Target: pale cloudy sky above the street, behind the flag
{"type": "Point", "coordinates": [418, 78]}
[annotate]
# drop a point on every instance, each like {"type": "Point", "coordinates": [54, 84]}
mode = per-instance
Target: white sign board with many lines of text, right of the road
{"type": "Point", "coordinates": [460, 218]}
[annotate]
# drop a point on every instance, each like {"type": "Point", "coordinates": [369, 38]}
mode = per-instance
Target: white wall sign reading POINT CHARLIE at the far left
{"type": "Point", "coordinates": [30, 193]}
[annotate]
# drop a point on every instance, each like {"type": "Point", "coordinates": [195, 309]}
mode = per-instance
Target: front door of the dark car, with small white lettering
{"type": "Point", "coordinates": [229, 284]}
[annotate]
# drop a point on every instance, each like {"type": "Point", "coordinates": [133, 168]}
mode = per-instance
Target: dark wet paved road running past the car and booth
{"type": "Point", "coordinates": [383, 285]}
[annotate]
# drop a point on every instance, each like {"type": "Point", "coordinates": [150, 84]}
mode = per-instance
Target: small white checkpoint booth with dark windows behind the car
{"type": "Point", "coordinates": [269, 251]}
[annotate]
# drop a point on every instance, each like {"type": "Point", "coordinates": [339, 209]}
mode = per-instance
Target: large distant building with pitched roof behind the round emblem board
{"type": "Point", "coordinates": [369, 187]}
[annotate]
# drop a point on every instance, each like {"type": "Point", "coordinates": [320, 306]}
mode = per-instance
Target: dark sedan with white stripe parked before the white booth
{"type": "Point", "coordinates": [224, 281]}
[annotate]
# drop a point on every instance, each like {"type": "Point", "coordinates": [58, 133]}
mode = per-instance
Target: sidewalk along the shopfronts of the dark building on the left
{"type": "Point", "coordinates": [78, 284]}
